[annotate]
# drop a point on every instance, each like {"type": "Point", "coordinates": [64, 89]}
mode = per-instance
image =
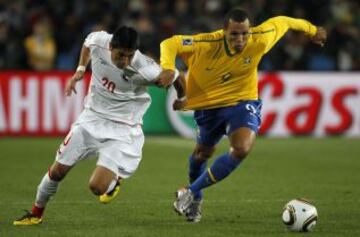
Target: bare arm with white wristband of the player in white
{"type": "Point", "coordinates": [80, 71]}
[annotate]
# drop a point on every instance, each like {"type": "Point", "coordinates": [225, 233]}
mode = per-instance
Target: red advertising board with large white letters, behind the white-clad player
{"type": "Point", "coordinates": [34, 103]}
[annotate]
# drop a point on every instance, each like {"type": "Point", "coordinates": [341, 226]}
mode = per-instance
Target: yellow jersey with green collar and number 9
{"type": "Point", "coordinates": [218, 77]}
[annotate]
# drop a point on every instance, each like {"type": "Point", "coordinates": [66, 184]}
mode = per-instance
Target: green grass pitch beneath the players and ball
{"type": "Point", "coordinates": [249, 203]}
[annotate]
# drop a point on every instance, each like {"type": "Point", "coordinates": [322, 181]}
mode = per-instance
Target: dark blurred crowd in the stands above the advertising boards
{"type": "Point", "coordinates": [65, 24]}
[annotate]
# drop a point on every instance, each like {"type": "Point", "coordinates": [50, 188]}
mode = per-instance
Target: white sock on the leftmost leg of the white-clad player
{"type": "Point", "coordinates": [46, 189]}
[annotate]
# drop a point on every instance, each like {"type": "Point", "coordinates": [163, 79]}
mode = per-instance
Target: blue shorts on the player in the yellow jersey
{"type": "Point", "coordinates": [214, 123]}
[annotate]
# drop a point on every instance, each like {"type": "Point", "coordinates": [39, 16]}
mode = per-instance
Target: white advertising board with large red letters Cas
{"type": "Point", "coordinates": [317, 104]}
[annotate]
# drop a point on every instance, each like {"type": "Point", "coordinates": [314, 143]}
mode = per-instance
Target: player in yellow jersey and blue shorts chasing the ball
{"type": "Point", "coordinates": [221, 86]}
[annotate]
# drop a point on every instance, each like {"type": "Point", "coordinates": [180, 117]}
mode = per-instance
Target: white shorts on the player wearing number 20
{"type": "Point", "coordinates": [118, 145]}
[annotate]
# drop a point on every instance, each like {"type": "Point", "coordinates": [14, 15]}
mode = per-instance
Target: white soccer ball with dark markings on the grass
{"type": "Point", "coordinates": [299, 215]}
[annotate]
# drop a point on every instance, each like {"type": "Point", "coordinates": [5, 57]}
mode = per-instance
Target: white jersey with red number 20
{"type": "Point", "coordinates": [114, 93]}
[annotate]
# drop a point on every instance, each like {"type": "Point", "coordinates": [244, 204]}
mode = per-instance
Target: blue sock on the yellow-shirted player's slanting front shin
{"type": "Point", "coordinates": [220, 169]}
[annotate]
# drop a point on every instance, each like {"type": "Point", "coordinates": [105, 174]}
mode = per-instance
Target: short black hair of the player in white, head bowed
{"type": "Point", "coordinates": [125, 37]}
